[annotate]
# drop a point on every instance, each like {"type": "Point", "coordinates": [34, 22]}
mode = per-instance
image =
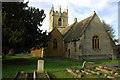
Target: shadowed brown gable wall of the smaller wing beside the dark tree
{"type": "Point", "coordinates": [50, 51]}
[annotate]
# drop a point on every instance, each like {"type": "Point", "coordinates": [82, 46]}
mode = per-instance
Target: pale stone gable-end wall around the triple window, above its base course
{"type": "Point", "coordinates": [105, 47]}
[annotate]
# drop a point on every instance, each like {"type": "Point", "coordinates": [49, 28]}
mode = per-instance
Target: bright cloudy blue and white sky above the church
{"type": "Point", "coordinates": [106, 9]}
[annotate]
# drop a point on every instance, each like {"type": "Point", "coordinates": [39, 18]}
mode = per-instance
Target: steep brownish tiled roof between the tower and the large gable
{"type": "Point", "coordinates": [76, 29]}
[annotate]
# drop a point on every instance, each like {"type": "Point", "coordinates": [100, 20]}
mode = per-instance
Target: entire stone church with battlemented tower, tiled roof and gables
{"type": "Point", "coordinates": [85, 39]}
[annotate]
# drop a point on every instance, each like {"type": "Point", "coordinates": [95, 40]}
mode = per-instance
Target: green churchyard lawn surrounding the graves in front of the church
{"type": "Point", "coordinates": [56, 67]}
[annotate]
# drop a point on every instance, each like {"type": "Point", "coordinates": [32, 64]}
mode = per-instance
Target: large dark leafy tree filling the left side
{"type": "Point", "coordinates": [21, 26]}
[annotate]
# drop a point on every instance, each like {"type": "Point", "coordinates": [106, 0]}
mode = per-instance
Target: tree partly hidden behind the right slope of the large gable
{"type": "Point", "coordinates": [110, 30]}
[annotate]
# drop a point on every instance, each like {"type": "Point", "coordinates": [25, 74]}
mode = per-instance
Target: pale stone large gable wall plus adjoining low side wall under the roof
{"type": "Point", "coordinates": [84, 46]}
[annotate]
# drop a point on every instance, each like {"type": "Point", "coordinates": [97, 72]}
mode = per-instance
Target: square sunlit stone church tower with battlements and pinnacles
{"type": "Point", "coordinates": [57, 19]}
